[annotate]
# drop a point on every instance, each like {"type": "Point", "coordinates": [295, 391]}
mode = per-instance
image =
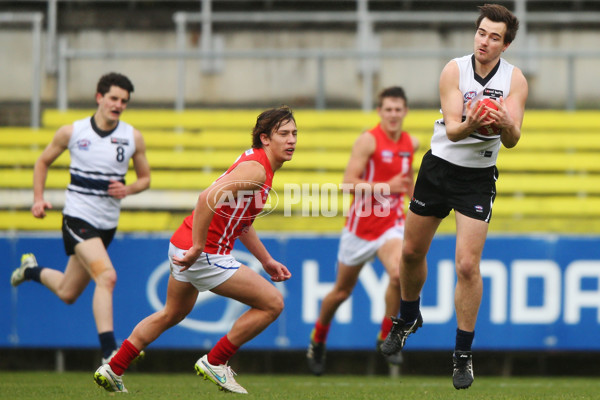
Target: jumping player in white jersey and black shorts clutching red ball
{"type": "Point", "coordinates": [459, 172]}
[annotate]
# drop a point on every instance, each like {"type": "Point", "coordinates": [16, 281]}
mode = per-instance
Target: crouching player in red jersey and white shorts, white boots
{"type": "Point", "coordinates": [201, 260]}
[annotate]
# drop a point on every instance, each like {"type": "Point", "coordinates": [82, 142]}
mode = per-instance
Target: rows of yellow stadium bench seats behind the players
{"type": "Point", "coordinates": [549, 183]}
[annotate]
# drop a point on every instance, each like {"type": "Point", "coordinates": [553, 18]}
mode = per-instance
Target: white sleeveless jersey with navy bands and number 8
{"type": "Point", "coordinates": [95, 160]}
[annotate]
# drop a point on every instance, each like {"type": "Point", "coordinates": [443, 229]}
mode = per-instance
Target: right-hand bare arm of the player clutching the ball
{"type": "Point", "coordinates": [512, 110]}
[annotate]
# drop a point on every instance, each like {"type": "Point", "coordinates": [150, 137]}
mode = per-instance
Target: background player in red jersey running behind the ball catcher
{"type": "Point", "coordinates": [380, 174]}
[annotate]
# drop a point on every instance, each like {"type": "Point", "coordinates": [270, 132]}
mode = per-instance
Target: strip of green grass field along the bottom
{"type": "Point", "coordinates": [80, 385]}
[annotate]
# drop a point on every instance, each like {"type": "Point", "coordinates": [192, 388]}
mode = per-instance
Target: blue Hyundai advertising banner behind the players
{"type": "Point", "coordinates": [540, 292]}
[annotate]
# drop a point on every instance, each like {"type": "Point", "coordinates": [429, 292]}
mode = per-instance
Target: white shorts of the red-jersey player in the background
{"type": "Point", "coordinates": [354, 251]}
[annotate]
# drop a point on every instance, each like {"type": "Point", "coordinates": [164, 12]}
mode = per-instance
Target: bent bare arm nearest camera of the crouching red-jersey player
{"type": "Point", "coordinates": [244, 177]}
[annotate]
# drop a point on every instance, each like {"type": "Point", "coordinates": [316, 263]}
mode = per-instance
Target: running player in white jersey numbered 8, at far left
{"type": "Point", "coordinates": [100, 148]}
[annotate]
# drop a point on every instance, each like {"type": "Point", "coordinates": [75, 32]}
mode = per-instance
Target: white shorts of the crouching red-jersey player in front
{"type": "Point", "coordinates": [208, 272]}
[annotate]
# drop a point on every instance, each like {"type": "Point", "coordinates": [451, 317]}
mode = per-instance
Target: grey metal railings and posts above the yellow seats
{"type": "Point", "coordinates": [365, 53]}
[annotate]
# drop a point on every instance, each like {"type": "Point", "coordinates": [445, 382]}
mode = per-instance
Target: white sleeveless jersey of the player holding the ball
{"type": "Point", "coordinates": [475, 151]}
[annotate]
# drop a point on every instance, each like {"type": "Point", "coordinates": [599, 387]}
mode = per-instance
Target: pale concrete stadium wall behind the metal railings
{"type": "Point", "coordinates": [291, 81]}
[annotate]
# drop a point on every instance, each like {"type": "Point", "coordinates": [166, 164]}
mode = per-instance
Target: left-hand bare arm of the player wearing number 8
{"type": "Point", "coordinates": [59, 143]}
